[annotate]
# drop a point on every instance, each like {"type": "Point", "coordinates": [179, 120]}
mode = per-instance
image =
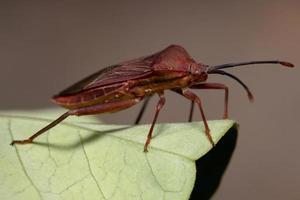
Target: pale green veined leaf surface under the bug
{"type": "Point", "coordinates": [83, 159]}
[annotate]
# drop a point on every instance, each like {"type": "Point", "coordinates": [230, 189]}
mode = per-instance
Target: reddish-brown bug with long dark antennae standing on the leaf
{"type": "Point", "coordinates": [123, 85]}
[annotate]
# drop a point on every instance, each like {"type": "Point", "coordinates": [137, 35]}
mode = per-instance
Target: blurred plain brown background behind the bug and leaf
{"type": "Point", "coordinates": [46, 46]}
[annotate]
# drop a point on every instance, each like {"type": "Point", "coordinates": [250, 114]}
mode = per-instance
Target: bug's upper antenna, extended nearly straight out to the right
{"type": "Point", "coordinates": [229, 65]}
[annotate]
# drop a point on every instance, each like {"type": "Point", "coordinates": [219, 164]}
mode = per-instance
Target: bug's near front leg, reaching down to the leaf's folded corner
{"type": "Point", "coordinates": [193, 97]}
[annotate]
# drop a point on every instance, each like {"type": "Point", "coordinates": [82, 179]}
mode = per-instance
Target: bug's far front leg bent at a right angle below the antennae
{"type": "Point", "coordinates": [216, 86]}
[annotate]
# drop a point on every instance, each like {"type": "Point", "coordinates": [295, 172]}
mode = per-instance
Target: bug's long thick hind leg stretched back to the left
{"type": "Point", "coordinates": [96, 109]}
